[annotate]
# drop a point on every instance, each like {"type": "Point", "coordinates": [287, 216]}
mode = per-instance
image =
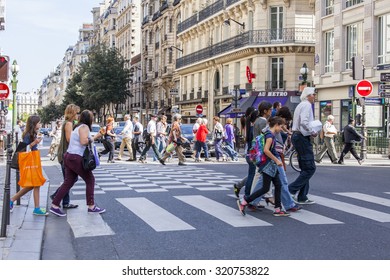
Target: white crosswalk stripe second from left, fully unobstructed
{"type": "Point", "coordinates": [152, 214]}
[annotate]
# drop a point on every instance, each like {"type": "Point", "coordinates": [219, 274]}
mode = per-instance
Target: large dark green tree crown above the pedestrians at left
{"type": "Point", "coordinates": [101, 82]}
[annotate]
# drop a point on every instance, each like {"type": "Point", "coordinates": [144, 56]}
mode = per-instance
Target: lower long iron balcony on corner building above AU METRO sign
{"type": "Point", "coordinates": [251, 38]}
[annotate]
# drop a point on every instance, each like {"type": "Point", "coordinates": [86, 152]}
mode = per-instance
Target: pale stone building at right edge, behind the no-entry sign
{"type": "Point", "coordinates": [348, 29]}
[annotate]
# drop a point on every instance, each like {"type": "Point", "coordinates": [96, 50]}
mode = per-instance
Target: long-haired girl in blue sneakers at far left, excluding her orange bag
{"type": "Point", "coordinates": [30, 137]}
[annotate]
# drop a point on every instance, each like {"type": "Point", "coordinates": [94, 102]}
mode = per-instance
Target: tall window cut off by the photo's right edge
{"type": "Point", "coordinates": [384, 39]}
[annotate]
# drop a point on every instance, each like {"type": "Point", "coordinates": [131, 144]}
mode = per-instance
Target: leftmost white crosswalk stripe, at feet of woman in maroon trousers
{"type": "Point", "coordinates": [84, 224]}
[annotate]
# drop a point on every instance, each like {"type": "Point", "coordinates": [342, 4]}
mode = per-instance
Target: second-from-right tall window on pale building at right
{"type": "Point", "coordinates": [354, 43]}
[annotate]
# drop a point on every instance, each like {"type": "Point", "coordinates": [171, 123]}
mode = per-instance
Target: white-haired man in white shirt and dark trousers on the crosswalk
{"type": "Point", "coordinates": [302, 131]}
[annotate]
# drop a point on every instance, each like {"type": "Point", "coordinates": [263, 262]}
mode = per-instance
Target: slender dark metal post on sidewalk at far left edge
{"type": "Point", "coordinates": [7, 190]}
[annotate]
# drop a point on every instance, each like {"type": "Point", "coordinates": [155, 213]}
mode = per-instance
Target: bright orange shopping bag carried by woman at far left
{"type": "Point", "coordinates": [30, 169]}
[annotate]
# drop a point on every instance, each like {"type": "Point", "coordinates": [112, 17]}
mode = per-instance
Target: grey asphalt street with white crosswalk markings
{"type": "Point", "coordinates": [190, 212]}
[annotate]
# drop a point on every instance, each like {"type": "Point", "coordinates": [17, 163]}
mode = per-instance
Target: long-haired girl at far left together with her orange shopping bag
{"type": "Point", "coordinates": [31, 139]}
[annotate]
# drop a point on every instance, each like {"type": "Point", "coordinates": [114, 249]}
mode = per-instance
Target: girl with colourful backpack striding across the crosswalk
{"type": "Point", "coordinates": [269, 170]}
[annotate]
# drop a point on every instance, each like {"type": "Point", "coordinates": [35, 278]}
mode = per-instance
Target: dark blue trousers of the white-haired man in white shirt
{"type": "Point", "coordinates": [306, 163]}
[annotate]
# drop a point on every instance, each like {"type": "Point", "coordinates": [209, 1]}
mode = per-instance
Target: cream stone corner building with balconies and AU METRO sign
{"type": "Point", "coordinates": [223, 41]}
